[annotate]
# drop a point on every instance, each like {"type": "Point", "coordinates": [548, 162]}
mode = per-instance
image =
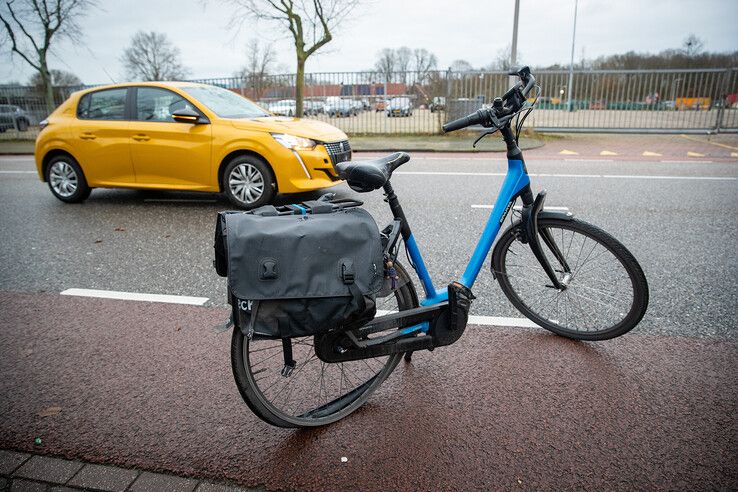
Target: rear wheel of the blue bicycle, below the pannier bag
{"type": "Point", "coordinates": [315, 393]}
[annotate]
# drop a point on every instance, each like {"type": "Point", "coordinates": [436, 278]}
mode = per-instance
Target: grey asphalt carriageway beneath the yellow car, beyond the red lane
{"type": "Point", "coordinates": [679, 225]}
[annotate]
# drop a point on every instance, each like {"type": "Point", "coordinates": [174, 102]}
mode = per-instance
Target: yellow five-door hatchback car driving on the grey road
{"type": "Point", "coordinates": [183, 136]}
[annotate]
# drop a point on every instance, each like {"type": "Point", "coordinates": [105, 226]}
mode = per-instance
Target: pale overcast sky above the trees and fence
{"type": "Point", "coordinates": [452, 29]}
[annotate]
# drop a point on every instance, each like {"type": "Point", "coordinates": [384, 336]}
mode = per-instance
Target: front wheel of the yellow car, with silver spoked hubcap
{"type": "Point", "coordinates": [247, 182]}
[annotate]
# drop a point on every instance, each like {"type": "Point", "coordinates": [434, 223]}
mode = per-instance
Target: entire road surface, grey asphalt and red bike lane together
{"type": "Point", "coordinates": [148, 385]}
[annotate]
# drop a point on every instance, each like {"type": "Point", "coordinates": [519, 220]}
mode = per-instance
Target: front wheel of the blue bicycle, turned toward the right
{"type": "Point", "coordinates": [606, 292]}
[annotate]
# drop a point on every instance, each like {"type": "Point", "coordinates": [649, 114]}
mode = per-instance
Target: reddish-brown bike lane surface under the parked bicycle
{"type": "Point", "coordinates": [149, 386]}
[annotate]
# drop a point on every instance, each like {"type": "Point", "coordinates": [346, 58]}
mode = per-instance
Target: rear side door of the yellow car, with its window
{"type": "Point", "coordinates": [100, 138]}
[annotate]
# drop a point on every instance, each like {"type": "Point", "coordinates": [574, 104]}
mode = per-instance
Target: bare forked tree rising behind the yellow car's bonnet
{"type": "Point", "coordinates": [310, 22]}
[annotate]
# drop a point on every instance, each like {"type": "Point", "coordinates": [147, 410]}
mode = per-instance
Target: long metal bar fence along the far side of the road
{"type": "Point", "coordinates": [420, 102]}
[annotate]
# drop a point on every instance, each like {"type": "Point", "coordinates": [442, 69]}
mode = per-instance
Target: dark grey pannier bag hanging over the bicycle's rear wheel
{"type": "Point", "coordinates": [299, 275]}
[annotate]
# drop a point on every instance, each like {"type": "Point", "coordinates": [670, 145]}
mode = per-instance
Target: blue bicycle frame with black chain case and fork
{"type": "Point", "coordinates": [443, 315]}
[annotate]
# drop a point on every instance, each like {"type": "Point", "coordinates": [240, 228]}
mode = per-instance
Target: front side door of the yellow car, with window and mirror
{"type": "Point", "coordinates": [166, 153]}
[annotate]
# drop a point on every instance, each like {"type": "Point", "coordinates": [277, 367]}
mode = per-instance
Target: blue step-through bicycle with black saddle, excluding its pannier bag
{"type": "Point", "coordinates": [564, 274]}
